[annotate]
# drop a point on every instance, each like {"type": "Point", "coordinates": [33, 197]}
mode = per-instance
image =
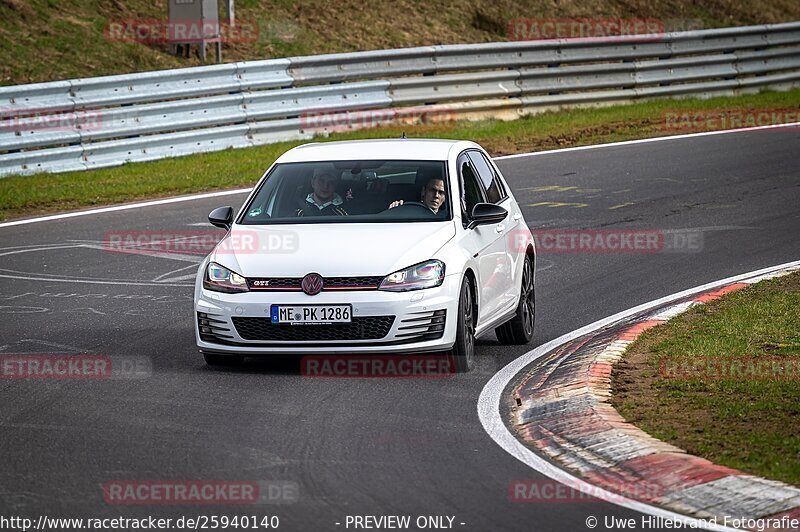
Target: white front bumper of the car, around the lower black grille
{"type": "Point", "coordinates": [410, 312]}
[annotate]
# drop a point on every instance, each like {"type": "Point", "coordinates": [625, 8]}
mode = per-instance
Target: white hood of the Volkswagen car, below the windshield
{"type": "Point", "coordinates": [343, 249]}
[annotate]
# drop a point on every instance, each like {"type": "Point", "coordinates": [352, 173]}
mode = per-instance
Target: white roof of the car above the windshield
{"type": "Point", "coordinates": [397, 149]}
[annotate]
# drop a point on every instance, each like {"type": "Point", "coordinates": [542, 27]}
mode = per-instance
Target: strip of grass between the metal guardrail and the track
{"type": "Point", "coordinates": [44, 193]}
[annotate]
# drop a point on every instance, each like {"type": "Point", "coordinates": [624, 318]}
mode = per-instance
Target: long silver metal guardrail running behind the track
{"type": "Point", "coordinates": [106, 121]}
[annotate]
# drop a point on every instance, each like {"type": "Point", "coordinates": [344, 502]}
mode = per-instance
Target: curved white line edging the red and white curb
{"type": "Point", "coordinates": [492, 395]}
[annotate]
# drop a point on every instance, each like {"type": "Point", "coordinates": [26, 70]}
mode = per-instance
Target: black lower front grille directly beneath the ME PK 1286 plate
{"type": "Point", "coordinates": [361, 328]}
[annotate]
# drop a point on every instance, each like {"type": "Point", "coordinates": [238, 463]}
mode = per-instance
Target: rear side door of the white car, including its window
{"type": "Point", "coordinates": [495, 191]}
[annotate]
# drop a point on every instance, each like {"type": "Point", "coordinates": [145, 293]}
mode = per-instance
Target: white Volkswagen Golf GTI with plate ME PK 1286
{"type": "Point", "coordinates": [369, 247]}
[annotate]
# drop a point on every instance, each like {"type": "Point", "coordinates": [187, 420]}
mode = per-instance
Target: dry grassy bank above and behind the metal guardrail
{"type": "Point", "coordinates": [43, 40]}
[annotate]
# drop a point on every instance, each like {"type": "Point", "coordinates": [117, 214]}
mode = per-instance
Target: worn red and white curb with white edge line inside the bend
{"type": "Point", "coordinates": [560, 408]}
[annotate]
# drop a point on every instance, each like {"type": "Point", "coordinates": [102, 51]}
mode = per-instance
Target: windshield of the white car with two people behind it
{"type": "Point", "coordinates": [351, 191]}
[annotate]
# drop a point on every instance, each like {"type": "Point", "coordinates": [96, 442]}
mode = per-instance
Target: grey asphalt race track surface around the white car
{"type": "Point", "coordinates": [352, 446]}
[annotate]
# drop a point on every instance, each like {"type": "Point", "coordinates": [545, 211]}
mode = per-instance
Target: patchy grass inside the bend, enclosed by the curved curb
{"type": "Point", "coordinates": [745, 423]}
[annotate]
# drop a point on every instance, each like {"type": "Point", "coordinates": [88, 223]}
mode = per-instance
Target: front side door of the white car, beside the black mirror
{"type": "Point", "coordinates": [485, 243]}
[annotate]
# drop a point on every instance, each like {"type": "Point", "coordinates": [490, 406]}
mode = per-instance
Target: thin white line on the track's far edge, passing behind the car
{"type": "Point", "coordinates": [245, 190]}
